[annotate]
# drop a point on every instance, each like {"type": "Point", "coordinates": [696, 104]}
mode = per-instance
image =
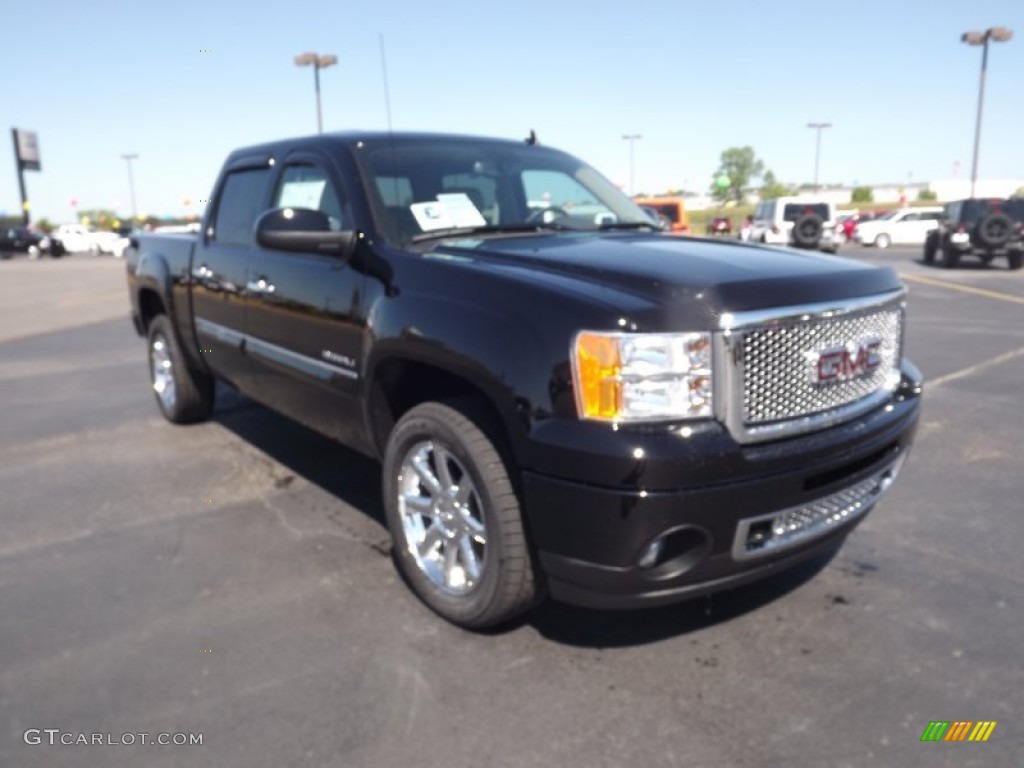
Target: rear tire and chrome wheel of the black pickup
{"type": "Point", "coordinates": [184, 395]}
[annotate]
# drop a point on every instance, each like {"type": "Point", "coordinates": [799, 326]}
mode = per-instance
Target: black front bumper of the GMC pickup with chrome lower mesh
{"type": "Point", "coordinates": [711, 498]}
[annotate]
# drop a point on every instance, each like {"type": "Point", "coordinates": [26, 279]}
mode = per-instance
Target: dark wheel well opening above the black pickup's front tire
{"type": "Point", "coordinates": [401, 386]}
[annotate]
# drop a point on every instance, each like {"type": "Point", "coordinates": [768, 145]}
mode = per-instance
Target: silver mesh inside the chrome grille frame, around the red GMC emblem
{"type": "Point", "coordinates": [779, 364]}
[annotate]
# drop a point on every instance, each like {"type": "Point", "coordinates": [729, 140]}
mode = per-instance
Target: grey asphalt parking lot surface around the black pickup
{"type": "Point", "coordinates": [233, 580]}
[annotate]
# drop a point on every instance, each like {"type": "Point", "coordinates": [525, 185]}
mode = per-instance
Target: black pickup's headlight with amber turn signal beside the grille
{"type": "Point", "coordinates": [643, 377]}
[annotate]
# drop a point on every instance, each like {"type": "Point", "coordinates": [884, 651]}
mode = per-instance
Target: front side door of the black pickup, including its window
{"type": "Point", "coordinates": [306, 321]}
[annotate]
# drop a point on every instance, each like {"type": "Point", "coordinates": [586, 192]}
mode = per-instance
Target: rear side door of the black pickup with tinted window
{"type": "Point", "coordinates": [221, 269]}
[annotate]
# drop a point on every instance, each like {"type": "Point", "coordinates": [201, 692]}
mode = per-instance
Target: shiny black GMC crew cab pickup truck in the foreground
{"type": "Point", "coordinates": [566, 401]}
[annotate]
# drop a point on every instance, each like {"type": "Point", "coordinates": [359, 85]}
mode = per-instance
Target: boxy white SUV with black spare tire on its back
{"type": "Point", "coordinates": [796, 223]}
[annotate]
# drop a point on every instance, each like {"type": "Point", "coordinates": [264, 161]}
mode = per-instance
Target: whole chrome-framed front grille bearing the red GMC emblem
{"type": "Point", "coordinates": [772, 382]}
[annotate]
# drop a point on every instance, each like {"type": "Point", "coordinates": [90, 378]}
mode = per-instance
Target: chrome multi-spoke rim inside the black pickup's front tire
{"type": "Point", "coordinates": [442, 518]}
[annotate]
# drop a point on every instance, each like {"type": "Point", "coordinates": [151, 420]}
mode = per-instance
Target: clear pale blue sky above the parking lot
{"type": "Point", "coordinates": [99, 80]}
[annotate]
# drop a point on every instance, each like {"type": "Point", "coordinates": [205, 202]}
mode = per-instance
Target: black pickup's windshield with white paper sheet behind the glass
{"type": "Point", "coordinates": [437, 186]}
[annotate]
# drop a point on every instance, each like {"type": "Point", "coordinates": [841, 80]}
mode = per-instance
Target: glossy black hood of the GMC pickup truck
{"type": "Point", "coordinates": [660, 270]}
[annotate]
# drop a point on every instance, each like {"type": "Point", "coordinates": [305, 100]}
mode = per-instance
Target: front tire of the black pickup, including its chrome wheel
{"type": "Point", "coordinates": [455, 519]}
